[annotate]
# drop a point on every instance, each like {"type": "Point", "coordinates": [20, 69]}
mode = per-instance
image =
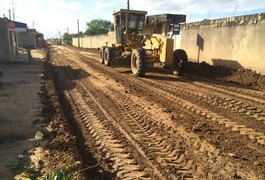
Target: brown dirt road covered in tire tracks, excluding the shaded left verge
{"type": "Point", "coordinates": [160, 126]}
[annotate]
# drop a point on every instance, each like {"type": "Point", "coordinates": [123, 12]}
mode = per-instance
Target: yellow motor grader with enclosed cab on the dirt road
{"type": "Point", "coordinates": [143, 49]}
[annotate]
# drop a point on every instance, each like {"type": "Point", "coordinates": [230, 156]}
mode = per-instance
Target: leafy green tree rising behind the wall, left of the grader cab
{"type": "Point", "coordinates": [98, 26]}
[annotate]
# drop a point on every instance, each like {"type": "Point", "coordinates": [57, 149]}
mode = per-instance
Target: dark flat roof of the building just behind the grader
{"type": "Point", "coordinates": [161, 18]}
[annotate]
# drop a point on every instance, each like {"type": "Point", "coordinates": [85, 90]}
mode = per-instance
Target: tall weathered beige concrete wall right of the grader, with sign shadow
{"type": "Point", "coordinates": [234, 42]}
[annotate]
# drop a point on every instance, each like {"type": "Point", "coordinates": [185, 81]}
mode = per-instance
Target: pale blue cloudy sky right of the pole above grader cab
{"type": "Point", "coordinates": [200, 9]}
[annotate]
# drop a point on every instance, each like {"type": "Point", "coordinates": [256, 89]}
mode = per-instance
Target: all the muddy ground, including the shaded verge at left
{"type": "Point", "coordinates": [100, 122]}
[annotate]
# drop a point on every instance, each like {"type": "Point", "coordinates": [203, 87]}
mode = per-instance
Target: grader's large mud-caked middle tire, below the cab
{"type": "Point", "coordinates": [138, 62]}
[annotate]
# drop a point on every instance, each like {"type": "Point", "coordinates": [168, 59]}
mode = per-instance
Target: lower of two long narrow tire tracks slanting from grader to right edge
{"type": "Point", "coordinates": [185, 104]}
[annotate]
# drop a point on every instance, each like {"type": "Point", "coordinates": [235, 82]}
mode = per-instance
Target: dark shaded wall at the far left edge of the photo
{"type": "Point", "coordinates": [5, 49]}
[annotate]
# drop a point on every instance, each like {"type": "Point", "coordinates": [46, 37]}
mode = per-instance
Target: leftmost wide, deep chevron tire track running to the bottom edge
{"type": "Point", "coordinates": [112, 149]}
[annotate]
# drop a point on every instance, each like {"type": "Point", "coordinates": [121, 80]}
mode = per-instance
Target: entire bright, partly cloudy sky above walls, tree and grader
{"type": "Point", "coordinates": [53, 16]}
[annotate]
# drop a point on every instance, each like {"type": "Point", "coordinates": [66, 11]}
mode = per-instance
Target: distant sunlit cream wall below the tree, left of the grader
{"type": "Point", "coordinates": [94, 41]}
